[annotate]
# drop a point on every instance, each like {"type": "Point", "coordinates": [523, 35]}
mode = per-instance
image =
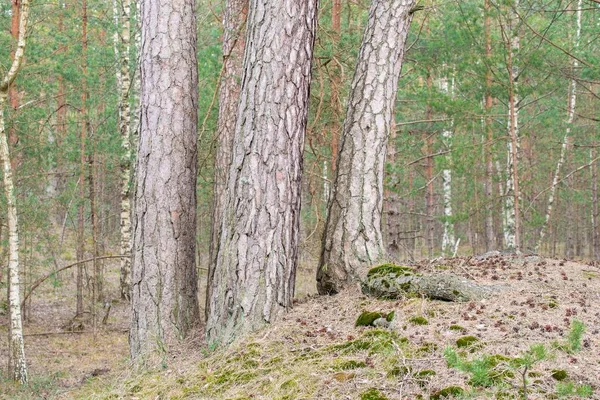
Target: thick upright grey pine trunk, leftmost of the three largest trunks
{"type": "Point", "coordinates": [164, 279]}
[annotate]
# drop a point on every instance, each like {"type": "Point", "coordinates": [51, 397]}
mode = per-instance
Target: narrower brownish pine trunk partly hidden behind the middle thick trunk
{"type": "Point", "coordinates": [234, 22]}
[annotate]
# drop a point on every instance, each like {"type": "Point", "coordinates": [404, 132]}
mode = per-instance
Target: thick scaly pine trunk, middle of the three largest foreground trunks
{"type": "Point", "coordinates": [253, 282]}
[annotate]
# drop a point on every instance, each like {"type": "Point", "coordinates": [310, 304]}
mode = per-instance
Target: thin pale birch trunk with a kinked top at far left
{"type": "Point", "coordinates": [17, 367]}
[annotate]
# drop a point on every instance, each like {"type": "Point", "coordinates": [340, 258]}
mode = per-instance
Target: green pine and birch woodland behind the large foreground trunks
{"type": "Point", "coordinates": [445, 135]}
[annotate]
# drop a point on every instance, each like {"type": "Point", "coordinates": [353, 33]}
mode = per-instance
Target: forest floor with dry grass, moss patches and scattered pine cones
{"type": "Point", "coordinates": [317, 352]}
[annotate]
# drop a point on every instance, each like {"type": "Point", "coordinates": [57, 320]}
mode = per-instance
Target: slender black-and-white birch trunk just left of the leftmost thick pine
{"type": "Point", "coordinates": [124, 87]}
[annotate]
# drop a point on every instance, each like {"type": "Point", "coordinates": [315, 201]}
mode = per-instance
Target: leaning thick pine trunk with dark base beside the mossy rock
{"type": "Point", "coordinates": [352, 239]}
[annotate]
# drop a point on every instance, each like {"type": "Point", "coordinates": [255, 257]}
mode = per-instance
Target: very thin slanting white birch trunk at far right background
{"type": "Point", "coordinates": [563, 150]}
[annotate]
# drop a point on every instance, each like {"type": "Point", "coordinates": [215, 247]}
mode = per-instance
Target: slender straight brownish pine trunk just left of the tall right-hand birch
{"type": "Point", "coordinates": [490, 237]}
